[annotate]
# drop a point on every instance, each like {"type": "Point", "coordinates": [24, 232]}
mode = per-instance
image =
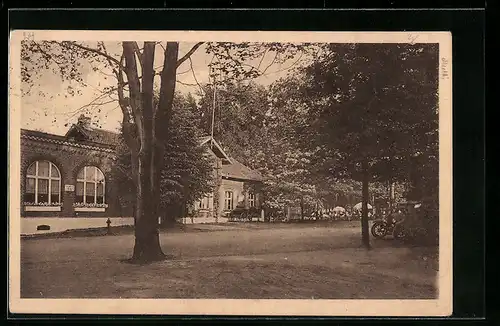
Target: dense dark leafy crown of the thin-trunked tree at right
{"type": "Point", "coordinates": [367, 101]}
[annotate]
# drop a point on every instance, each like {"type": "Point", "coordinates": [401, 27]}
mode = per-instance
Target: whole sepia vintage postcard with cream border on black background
{"type": "Point", "coordinates": [230, 173]}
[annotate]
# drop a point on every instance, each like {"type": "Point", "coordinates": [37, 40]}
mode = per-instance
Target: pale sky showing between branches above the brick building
{"type": "Point", "coordinates": [50, 109]}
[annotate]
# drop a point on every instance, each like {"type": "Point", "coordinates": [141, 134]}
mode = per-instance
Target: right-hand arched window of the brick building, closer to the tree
{"type": "Point", "coordinates": [90, 186]}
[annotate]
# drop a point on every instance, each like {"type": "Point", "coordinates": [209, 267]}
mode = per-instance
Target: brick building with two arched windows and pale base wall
{"type": "Point", "coordinates": [67, 177]}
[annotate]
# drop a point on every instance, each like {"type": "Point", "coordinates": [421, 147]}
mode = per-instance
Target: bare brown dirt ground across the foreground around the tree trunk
{"type": "Point", "coordinates": [237, 262]}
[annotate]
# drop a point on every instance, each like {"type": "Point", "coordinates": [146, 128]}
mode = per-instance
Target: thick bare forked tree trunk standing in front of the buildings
{"type": "Point", "coordinates": [144, 130]}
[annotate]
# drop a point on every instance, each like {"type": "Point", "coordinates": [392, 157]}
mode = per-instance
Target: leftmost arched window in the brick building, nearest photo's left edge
{"type": "Point", "coordinates": [43, 183]}
